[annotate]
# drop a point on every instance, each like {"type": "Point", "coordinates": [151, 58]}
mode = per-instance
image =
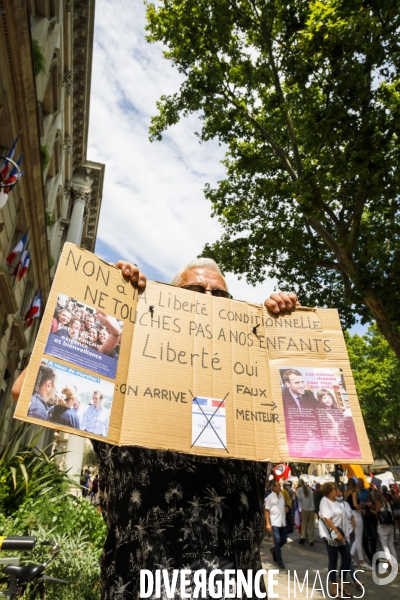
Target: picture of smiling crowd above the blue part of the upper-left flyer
{"type": "Point", "coordinates": [89, 327]}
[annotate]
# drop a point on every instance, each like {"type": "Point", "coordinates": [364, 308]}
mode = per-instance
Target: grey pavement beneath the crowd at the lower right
{"type": "Point", "coordinates": [304, 558]}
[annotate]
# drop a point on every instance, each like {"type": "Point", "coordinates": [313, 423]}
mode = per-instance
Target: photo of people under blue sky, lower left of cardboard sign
{"type": "Point", "coordinates": [71, 398]}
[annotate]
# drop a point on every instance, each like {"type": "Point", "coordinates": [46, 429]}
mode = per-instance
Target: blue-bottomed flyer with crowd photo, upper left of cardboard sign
{"type": "Point", "coordinates": [85, 336]}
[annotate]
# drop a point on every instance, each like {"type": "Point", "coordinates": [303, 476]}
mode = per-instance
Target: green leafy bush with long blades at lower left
{"type": "Point", "coordinates": [35, 499]}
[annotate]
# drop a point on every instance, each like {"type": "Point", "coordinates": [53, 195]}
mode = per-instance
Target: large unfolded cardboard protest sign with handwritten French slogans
{"type": "Point", "coordinates": [174, 369]}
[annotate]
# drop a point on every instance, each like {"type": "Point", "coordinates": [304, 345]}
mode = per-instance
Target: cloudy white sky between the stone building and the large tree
{"type": "Point", "coordinates": [154, 211]}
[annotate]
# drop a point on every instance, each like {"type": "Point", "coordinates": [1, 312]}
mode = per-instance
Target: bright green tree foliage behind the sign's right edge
{"type": "Point", "coordinates": [376, 372]}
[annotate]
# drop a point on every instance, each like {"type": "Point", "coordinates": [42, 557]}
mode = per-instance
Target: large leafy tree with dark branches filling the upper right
{"type": "Point", "coordinates": [306, 96]}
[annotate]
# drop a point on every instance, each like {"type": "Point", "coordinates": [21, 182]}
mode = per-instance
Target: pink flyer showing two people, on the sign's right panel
{"type": "Point", "coordinates": [318, 418]}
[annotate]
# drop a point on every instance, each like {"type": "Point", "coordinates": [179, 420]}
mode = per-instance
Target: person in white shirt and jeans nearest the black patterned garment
{"type": "Point", "coordinates": [275, 514]}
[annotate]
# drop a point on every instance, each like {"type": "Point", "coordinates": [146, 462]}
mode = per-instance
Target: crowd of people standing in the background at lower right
{"type": "Point", "coordinates": [350, 520]}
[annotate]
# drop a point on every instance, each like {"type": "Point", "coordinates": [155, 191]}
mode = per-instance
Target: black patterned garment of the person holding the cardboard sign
{"type": "Point", "coordinates": [167, 510]}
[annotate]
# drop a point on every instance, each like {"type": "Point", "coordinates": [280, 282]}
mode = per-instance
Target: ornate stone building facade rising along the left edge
{"type": "Point", "coordinates": [45, 73]}
